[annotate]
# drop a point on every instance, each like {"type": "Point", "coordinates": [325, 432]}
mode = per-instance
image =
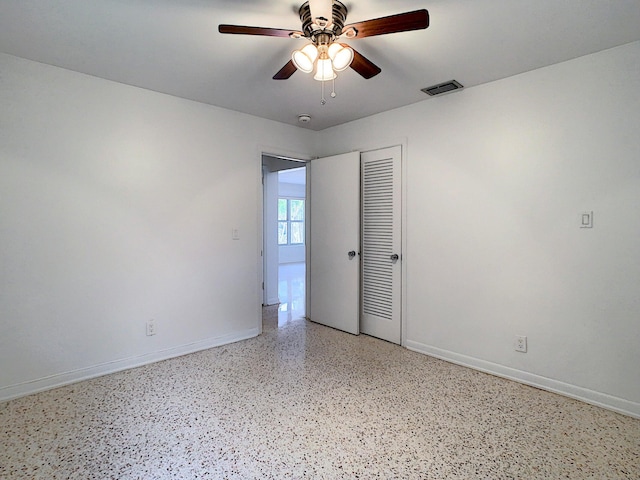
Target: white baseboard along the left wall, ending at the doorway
{"type": "Point", "coordinates": [60, 379]}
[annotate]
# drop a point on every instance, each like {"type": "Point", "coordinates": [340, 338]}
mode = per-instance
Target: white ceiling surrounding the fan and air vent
{"type": "Point", "coordinates": [173, 46]}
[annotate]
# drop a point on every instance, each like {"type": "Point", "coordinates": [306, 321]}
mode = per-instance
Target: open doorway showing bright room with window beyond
{"type": "Point", "coordinates": [284, 188]}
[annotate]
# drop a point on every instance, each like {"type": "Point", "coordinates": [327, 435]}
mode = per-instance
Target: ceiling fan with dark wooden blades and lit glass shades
{"type": "Point", "coordinates": [323, 24]}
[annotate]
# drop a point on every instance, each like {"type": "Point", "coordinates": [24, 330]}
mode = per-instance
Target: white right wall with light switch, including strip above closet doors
{"type": "Point", "coordinates": [497, 177]}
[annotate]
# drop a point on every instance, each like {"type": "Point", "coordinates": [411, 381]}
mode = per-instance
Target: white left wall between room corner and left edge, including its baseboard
{"type": "Point", "coordinates": [117, 206]}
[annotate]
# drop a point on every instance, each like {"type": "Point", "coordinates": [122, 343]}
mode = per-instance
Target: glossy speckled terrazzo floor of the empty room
{"type": "Point", "coordinates": [306, 401]}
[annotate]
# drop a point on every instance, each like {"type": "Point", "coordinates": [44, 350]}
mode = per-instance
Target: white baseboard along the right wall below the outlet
{"type": "Point", "coordinates": [592, 397]}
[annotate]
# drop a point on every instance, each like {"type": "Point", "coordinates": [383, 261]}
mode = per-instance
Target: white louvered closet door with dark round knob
{"type": "Point", "coordinates": [381, 243]}
